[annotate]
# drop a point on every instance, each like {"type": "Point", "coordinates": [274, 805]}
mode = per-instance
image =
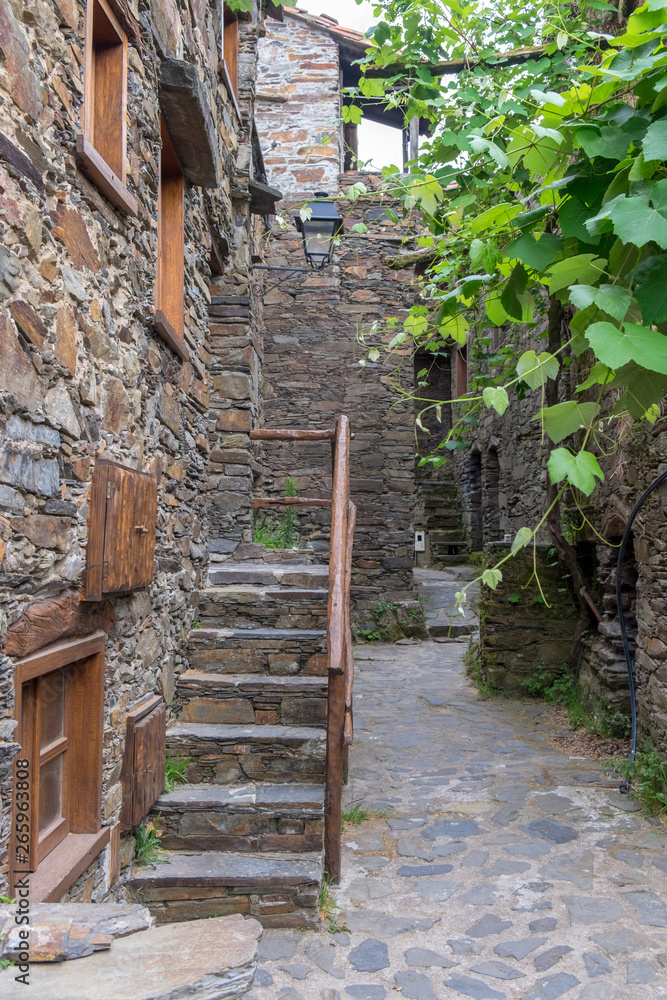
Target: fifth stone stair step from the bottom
{"type": "Point", "coordinates": [258, 651]}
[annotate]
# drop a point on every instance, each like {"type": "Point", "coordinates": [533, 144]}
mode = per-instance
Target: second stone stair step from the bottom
{"type": "Point", "coordinates": [241, 818]}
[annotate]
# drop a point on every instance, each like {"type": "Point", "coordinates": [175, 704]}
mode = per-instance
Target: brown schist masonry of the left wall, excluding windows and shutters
{"type": "Point", "coordinates": [83, 375]}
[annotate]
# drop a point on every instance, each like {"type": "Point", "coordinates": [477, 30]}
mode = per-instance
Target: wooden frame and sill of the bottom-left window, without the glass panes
{"type": "Point", "coordinates": [60, 862]}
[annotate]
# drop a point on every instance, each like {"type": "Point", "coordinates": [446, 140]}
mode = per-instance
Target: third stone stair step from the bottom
{"type": "Point", "coordinates": [224, 754]}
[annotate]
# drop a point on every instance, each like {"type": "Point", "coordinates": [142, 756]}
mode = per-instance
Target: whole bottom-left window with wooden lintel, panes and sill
{"type": "Point", "coordinates": [59, 704]}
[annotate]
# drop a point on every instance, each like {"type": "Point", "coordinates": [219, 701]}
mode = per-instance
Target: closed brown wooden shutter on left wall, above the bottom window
{"type": "Point", "coordinates": [121, 530]}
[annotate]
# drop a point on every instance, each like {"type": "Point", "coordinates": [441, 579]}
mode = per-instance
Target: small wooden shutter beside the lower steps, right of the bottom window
{"type": "Point", "coordinates": [144, 760]}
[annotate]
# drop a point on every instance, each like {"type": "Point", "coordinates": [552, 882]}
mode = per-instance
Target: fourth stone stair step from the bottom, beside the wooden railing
{"type": "Point", "coordinates": [240, 699]}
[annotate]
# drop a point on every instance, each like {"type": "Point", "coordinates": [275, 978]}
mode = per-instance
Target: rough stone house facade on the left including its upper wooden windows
{"type": "Point", "coordinates": [90, 371]}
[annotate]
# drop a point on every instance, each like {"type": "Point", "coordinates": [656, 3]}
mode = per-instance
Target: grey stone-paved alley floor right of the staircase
{"type": "Point", "coordinates": [499, 868]}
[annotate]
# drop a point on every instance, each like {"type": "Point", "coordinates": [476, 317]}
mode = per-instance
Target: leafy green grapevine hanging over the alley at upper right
{"type": "Point", "coordinates": [542, 187]}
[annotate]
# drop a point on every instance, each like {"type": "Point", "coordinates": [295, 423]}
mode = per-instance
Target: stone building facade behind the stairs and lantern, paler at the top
{"type": "Point", "coordinates": [312, 327]}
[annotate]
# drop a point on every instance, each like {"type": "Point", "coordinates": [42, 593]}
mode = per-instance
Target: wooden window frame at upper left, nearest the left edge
{"type": "Point", "coordinates": [110, 179]}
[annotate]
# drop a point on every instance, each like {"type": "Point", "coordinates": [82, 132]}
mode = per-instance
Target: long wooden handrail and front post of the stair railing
{"type": "Point", "coordinates": [338, 619]}
